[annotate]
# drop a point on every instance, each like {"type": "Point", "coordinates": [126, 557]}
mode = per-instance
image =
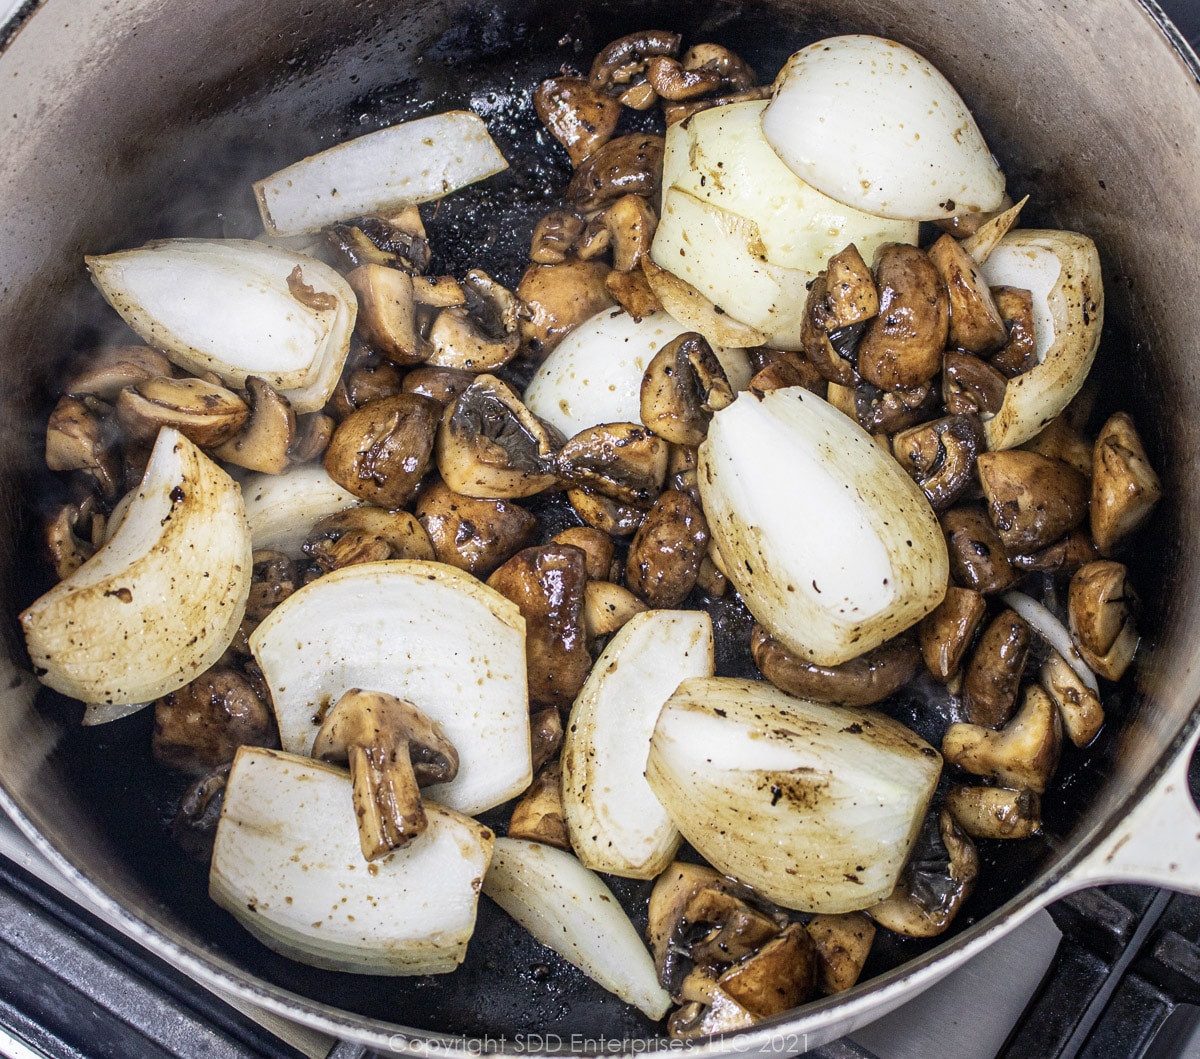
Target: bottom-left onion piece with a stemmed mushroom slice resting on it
{"type": "Point", "coordinates": [289, 866]}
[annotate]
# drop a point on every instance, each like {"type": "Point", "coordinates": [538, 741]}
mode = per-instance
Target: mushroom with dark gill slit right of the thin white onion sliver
{"type": "Point", "coordinates": [1102, 625]}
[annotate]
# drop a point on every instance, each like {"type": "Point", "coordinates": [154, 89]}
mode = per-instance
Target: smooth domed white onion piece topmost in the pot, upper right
{"type": "Point", "coordinates": [873, 124]}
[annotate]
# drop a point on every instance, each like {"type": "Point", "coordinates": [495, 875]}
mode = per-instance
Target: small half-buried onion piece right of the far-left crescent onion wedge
{"type": "Point", "coordinates": [284, 508]}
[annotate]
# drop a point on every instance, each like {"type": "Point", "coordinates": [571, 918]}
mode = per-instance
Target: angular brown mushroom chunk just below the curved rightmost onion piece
{"type": "Point", "coordinates": [1033, 500]}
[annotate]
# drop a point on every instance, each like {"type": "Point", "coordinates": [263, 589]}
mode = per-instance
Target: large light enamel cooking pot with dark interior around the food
{"type": "Point", "coordinates": [151, 119]}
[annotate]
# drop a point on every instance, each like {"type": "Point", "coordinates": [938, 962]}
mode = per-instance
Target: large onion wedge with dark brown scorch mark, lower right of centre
{"type": "Point", "coordinates": [817, 807]}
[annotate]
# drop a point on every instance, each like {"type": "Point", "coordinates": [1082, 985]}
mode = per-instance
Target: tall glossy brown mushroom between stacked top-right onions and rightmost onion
{"type": "Point", "coordinates": [903, 346]}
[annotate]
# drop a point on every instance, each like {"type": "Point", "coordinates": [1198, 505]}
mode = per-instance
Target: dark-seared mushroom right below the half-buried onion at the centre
{"type": "Point", "coordinates": [622, 460]}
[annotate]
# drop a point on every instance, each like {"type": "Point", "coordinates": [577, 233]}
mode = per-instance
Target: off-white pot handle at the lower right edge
{"type": "Point", "coordinates": [1157, 843]}
